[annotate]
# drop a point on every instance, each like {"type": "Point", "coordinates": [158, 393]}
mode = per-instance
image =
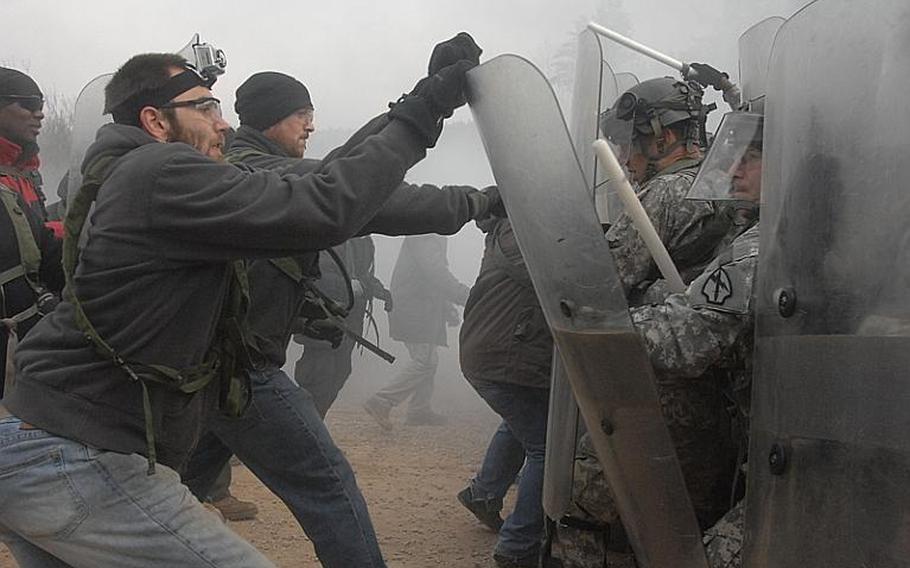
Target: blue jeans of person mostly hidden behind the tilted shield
{"type": "Point", "coordinates": [520, 439]}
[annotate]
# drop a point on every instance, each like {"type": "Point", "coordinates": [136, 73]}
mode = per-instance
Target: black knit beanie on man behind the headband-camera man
{"type": "Point", "coordinates": [266, 98]}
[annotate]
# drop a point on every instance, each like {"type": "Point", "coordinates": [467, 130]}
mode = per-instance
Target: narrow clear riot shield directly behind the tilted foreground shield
{"type": "Point", "coordinates": [594, 91]}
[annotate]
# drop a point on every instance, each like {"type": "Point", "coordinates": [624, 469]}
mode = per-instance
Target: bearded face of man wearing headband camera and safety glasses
{"type": "Point", "coordinates": [199, 125]}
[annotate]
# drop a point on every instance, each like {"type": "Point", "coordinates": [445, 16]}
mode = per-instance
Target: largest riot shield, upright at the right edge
{"type": "Point", "coordinates": [829, 460]}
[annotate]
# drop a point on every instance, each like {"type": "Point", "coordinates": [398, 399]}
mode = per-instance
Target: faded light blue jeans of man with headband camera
{"type": "Point", "coordinates": [63, 504]}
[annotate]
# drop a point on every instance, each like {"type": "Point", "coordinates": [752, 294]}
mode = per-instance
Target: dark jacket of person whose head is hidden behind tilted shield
{"type": "Point", "coordinates": [504, 337]}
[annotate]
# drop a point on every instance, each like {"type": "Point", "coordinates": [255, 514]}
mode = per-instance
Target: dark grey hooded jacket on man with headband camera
{"type": "Point", "coordinates": [152, 275]}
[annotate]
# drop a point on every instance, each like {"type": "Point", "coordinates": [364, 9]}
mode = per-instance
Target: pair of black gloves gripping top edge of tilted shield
{"type": "Point", "coordinates": [436, 96]}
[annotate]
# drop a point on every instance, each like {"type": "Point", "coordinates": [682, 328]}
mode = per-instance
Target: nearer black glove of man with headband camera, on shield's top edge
{"type": "Point", "coordinates": [433, 99]}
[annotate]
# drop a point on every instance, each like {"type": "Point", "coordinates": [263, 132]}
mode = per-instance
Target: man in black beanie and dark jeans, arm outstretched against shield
{"type": "Point", "coordinates": [282, 438]}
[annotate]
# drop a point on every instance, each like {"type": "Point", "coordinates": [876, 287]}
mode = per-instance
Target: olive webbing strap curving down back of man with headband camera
{"type": "Point", "coordinates": [189, 380]}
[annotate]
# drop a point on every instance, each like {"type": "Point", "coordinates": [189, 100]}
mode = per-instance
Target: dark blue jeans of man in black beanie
{"type": "Point", "coordinates": [285, 443]}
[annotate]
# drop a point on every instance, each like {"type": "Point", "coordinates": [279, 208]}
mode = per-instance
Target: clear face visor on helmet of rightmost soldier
{"type": "Point", "coordinates": [737, 145]}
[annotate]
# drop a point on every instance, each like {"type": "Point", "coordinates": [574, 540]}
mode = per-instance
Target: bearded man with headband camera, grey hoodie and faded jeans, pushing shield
{"type": "Point", "coordinates": [125, 371]}
